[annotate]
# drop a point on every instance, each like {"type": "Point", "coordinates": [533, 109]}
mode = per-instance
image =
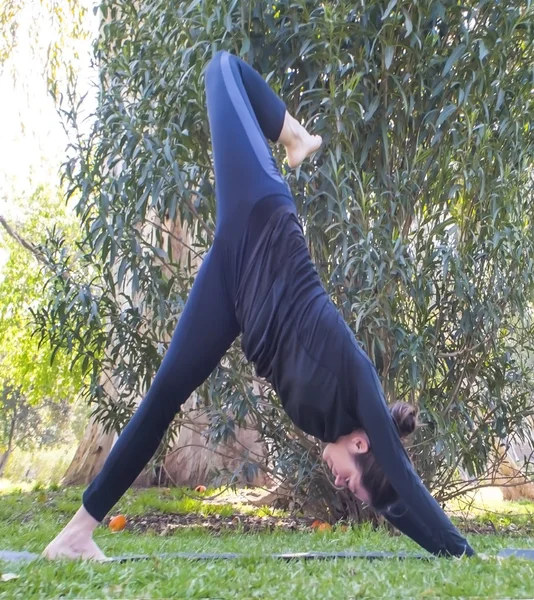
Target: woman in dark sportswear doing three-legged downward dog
{"type": "Point", "coordinates": [258, 280]}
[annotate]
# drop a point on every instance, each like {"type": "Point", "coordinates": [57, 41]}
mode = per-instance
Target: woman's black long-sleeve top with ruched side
{"type": "Point", "coordinates": [328, 386]}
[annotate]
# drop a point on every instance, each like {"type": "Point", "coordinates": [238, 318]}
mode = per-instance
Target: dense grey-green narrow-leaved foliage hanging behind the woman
{"type": "Point", "coordinates": [418, 210]}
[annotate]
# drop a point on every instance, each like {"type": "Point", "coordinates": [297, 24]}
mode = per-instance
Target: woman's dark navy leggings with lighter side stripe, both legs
{"type": "Point", "coordinates": [243, 111]}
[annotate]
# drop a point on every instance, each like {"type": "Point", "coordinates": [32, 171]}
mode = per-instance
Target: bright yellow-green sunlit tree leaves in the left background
{"type": "Point", "coordinates": [24, 361]}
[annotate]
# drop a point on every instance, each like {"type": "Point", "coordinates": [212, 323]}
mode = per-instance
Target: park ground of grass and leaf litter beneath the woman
{"type": "Point", "coordinates": [181, 520]}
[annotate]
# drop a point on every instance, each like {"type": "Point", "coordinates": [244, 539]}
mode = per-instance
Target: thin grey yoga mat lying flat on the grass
{"type": "Point", "coordinates": [8, 555]}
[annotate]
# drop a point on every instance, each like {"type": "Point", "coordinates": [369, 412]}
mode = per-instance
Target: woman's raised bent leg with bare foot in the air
{"type": "Point", "coordinates": [243, 113]}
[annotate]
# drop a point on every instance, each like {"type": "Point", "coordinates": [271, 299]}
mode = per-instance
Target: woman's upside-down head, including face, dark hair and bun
{"type": "Point", "coordinates": [353, 464]}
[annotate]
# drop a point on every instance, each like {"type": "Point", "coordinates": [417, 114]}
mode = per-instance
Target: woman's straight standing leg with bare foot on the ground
{"type": "Point", "coordinates": [206, 329]}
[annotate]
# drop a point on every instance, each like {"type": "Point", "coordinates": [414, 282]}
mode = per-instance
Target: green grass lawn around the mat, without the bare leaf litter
{"type": "Point", "coordinates": [30, 519]}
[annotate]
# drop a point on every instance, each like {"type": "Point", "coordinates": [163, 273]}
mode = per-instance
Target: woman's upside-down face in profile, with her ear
{"type": "Point", "coordinates": [339, 456]}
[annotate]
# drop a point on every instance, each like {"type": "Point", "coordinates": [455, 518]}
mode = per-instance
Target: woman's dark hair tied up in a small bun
{"type": "Point", "coordinates": [381, 492]}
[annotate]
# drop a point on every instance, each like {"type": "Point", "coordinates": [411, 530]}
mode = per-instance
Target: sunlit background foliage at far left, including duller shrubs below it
{"type": "Point", "coordinates": [38, 383]}
